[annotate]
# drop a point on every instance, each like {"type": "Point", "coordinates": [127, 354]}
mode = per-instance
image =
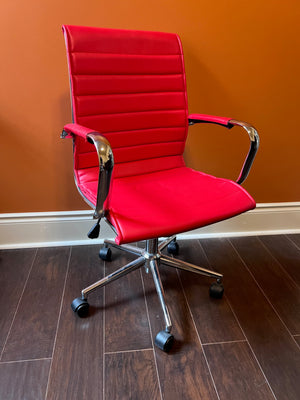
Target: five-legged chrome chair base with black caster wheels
{"type": "Point", "coordinates": [150, 257]}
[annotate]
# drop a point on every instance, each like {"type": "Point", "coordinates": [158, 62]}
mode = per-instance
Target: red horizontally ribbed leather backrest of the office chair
{"type": "Point", "coordinates": [130, 86]}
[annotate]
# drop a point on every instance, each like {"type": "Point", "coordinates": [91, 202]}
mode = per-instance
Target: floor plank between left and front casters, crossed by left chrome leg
{"type": "Point", "coordinates": [126, 321]}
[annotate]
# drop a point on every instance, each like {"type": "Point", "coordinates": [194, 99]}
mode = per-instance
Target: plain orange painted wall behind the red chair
{"type": "Point", "coordinates": [242, 60]}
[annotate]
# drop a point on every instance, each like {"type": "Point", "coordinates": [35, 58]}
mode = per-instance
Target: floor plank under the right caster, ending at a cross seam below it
{"type": "Point", "coordinates": [214, 319]}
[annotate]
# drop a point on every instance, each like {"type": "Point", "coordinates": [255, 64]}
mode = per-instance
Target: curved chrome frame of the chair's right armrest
{"type": "Point", "coordinates": [254, 144]}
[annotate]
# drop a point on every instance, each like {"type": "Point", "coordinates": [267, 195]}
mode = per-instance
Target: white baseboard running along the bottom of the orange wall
{"type": "Point", "coordinates": [22, 230]}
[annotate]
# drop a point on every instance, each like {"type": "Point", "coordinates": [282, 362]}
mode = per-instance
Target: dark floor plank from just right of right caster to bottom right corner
{"type": "Point", "coordinates": [275, 349]}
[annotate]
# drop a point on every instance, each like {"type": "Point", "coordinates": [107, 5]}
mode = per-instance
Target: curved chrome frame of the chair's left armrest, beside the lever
{"type": "Point", "coordinates": [106, 164]}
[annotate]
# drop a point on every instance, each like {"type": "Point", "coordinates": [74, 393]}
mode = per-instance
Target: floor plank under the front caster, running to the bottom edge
{"type": "Point", "coordinates": [183, 372]}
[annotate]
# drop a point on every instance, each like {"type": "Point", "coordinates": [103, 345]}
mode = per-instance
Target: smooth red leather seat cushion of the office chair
{"type": "Point", "coordinates": [170, 202]}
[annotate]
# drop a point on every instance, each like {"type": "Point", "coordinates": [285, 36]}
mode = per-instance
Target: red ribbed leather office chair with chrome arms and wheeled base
{"type": "Point", "coordinates": [130, 125]}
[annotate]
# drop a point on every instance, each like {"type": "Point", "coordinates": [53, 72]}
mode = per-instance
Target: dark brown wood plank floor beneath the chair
{"type": "Point", "coordinates": [245, 346]}
